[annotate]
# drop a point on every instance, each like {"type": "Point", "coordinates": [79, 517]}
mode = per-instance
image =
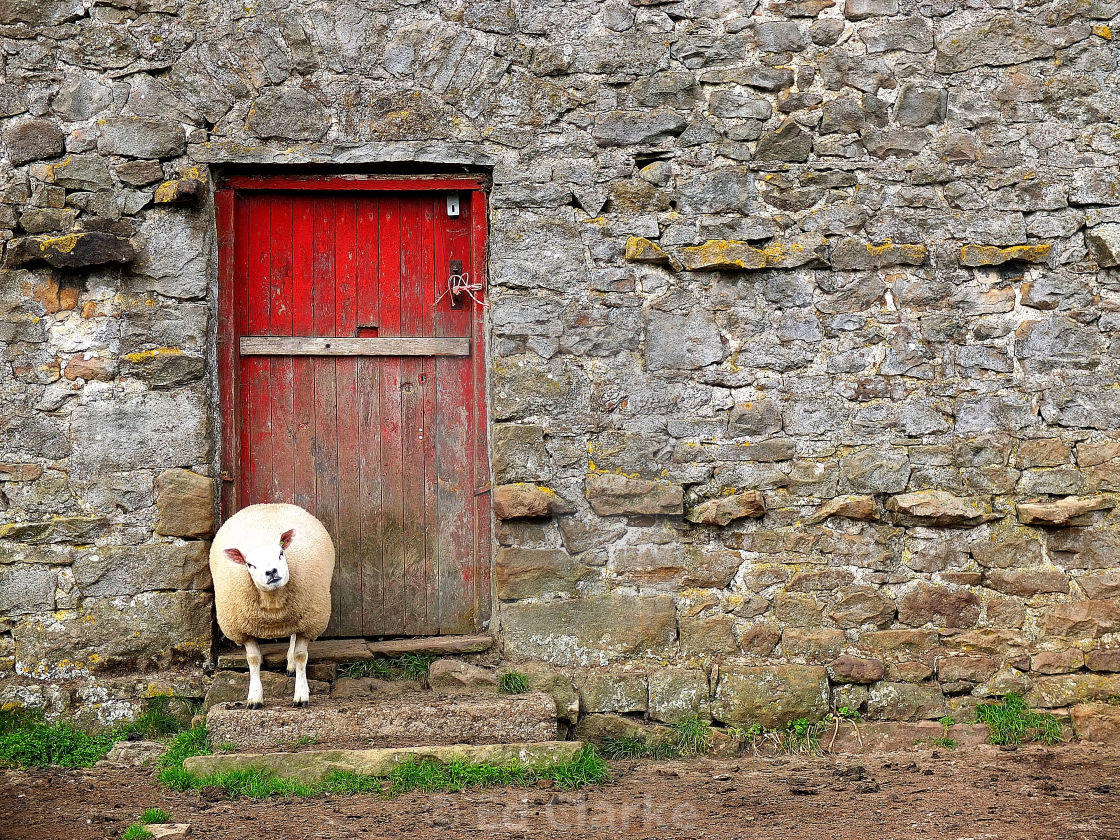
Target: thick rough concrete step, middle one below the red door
{"type": "Point", "coordinates": [408, 720]}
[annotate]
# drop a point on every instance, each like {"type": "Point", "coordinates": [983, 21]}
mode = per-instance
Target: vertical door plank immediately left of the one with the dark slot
{"type": "Point", "coordinates": [350, 505]}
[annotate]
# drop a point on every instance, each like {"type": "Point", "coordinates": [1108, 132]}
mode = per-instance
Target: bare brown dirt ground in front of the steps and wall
{"type": "Point", "coordinates": [1034, 794]}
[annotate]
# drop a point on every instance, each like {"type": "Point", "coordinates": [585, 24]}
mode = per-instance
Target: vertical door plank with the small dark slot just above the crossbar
{"type": "Point", "coordinates": [369, 413]}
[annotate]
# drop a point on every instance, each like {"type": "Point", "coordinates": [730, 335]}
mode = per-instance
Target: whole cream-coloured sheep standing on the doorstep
{"type": "Point", "coordinates": [273, 566]}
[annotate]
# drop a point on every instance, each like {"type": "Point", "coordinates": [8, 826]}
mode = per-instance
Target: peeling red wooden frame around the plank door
{"type": "Point", "coordinates": [228, 340]}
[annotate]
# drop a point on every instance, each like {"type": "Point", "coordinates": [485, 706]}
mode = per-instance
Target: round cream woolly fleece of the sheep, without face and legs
{"type": "Point", "coordinates": [303, 606]}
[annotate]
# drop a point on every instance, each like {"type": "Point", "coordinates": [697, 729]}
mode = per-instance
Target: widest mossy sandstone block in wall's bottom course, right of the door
{"type": "Point", "coordinates": [771, 696]}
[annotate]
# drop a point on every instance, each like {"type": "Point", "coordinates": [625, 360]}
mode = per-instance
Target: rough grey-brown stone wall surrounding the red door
{"type": "Point", "coordinates": [804, 331]}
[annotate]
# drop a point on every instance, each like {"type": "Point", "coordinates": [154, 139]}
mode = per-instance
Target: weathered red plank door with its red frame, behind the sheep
{"type": "Point", "coordinates": [382, 433]}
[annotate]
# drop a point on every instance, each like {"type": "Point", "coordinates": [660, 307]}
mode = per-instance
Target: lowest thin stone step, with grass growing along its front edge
{"type": "Point", "coordinates": [314, 766]}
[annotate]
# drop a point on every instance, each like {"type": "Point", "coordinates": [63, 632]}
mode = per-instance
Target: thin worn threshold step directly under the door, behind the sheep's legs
{"type": "Point", "coordinates": [340, 651]}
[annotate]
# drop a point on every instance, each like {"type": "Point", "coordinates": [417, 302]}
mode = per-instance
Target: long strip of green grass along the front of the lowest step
{"type": "Point", "coordinates": [589, 768]}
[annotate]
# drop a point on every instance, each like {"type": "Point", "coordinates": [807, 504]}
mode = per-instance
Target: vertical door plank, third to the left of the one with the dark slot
{"type": "Point", "coordinates": [303, 375]}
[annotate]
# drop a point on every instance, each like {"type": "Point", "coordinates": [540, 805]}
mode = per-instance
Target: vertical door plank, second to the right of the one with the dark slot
{"type": "Point", "coordinates": [413, 412]}
